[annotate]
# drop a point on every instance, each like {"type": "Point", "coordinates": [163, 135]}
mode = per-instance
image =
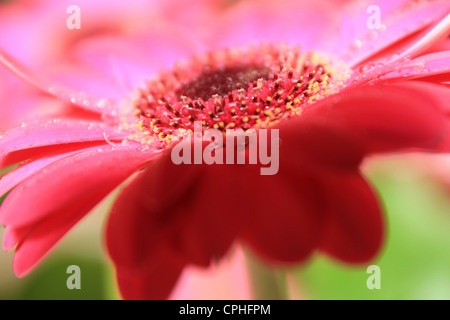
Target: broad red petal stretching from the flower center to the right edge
{"type": "Point", "coordinates": [386, 118]}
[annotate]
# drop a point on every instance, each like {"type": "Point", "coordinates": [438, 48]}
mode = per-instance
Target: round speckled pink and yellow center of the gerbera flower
{"type": "Point", "coordinates": [233, 89]}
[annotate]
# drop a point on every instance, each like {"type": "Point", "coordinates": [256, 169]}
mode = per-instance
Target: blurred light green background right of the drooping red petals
{"type": "Point", "coordinates": [415, 263]}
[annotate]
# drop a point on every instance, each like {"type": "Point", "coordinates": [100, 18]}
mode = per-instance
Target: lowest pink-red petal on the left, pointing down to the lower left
{"type": "Point", "coordinates": [38, 229]}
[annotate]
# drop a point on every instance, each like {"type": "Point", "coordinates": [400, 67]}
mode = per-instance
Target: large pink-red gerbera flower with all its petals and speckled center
{"type": "Point", "coordinates": [373, 91]}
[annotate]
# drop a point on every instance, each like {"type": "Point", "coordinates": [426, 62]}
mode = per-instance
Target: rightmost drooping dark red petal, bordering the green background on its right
{"type": "Point", "coordinates": [354, 229]}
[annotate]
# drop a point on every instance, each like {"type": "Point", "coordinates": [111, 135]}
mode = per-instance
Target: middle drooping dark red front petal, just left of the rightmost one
{"type": "Point", "coordinates": [281, 215]}
